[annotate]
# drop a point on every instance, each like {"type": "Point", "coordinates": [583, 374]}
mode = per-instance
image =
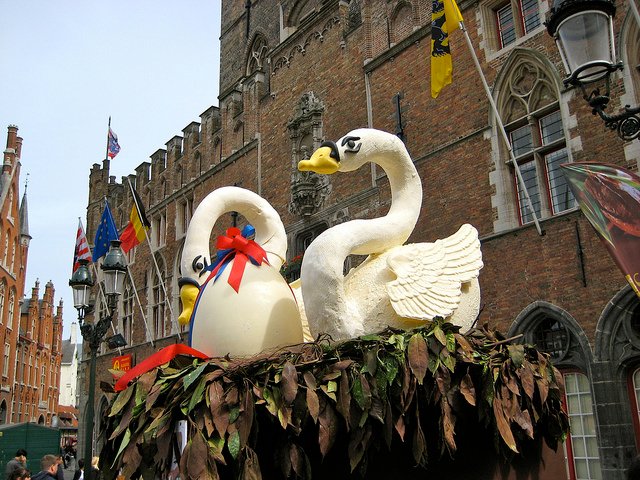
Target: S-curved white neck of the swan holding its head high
{"type": "Point", "coordinates": [322, 267]}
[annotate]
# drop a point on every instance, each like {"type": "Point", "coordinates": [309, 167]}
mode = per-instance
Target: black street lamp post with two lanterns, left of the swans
{"type": "Point", "coordinates": [114, 267]}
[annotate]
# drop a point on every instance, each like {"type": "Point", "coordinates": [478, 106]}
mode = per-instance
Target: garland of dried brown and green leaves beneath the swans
{"type": "Point", "coordinates": [347, 401]}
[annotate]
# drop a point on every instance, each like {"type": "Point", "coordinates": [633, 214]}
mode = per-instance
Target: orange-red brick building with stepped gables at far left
{"type": "Point", "coordinates": [30, 329]}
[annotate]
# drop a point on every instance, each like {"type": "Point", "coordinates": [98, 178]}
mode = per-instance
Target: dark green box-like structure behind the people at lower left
{"type": "Point", "coordinates": [37, 440]}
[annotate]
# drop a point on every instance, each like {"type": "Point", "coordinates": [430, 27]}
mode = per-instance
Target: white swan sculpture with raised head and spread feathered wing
{"type": "Point", "coordinates": [398, 285]}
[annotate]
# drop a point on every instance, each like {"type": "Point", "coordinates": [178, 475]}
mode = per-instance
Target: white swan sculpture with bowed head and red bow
{"type": "Point", "coordinates": [262, 313]}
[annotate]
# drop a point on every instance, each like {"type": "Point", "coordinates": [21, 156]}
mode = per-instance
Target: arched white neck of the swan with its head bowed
{"type": "Point", "coordinates": [270, 232]}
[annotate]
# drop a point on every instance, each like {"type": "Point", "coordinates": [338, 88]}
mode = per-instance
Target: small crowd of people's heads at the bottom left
{"type": "Point", "coordinates": [51, 468]}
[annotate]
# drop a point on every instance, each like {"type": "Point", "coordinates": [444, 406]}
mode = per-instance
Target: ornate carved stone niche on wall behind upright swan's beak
{"type": "Point", "coordinates": [308, 190]}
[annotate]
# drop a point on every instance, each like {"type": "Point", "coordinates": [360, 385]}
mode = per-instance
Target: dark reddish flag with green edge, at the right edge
{"type": "Point", "coordinates": [609, 196]}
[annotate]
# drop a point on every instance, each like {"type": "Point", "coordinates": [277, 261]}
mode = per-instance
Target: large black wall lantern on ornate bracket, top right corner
{"type": "Point", "coordinates": [583, 31]}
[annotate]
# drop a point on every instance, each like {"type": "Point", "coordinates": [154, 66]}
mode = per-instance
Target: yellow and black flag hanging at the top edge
{"type": "Point", "coordinates": [445, 18]}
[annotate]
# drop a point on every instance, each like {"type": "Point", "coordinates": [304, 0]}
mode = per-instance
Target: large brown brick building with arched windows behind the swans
{"type": "Point", "coordinates": [294, 73]}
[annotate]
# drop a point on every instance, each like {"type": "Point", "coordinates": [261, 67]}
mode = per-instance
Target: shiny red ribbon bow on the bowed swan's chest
{"type": "Point", "coordinates": [241, 250]}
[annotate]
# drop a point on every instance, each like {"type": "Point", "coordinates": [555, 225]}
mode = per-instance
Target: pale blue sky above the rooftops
{"type": "Point", "coordinates": [67, 65]}
